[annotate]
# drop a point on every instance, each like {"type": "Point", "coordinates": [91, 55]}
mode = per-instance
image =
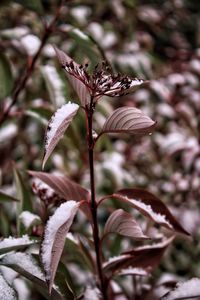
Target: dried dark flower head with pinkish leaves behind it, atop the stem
{"type": "Point", "coordinates": [97, 84]}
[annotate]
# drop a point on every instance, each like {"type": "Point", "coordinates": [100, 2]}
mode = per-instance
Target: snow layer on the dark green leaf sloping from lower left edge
{"type": "Point", "coordinates": [25, 261]}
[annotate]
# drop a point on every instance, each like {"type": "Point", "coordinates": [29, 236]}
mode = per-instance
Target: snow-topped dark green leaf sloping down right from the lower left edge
{"type": "Point", "coordinates": [26, 265]}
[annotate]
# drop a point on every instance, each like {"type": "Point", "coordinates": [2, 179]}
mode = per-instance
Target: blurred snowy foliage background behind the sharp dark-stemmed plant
{"type": "Point", "coordinates": [154, 40]}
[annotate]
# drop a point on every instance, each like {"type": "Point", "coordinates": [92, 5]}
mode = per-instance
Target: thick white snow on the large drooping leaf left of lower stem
{"type": "Point", "coordinates": [62, 214]}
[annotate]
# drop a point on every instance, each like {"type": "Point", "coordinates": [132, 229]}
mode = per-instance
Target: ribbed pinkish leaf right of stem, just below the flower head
{"type": "Point", "coordinates": [128, 120]}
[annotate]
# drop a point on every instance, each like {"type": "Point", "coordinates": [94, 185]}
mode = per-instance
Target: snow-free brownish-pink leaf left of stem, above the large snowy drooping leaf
{"type": "Point", "coordinates": [63, 186]}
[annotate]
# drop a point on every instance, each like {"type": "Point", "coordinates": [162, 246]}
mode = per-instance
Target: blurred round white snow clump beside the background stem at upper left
{"type": "Point", "coordinates": [31, 44]}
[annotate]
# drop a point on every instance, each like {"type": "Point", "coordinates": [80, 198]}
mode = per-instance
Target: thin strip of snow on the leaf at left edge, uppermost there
{"type": "Point", "coordinates": [11, 243]}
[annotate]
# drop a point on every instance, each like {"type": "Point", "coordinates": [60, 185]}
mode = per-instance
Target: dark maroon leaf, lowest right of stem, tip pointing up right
{"type": "Point", "coordinates": [146, 257]}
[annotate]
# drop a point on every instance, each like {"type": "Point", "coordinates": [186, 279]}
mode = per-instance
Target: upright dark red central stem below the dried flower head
{"type": "Point", "coordinates": [93, 202]}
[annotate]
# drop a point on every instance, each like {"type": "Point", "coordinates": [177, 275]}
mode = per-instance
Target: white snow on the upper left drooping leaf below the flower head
{"type": "Point", "coordinates": [60, 115]}
